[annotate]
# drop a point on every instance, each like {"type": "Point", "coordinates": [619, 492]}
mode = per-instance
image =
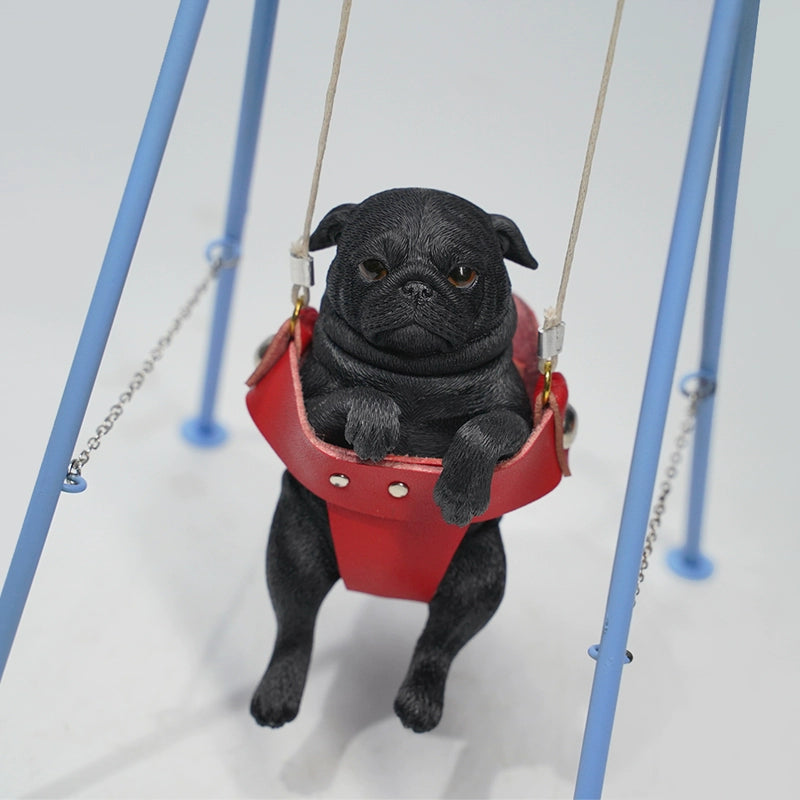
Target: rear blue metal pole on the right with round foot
{"type": "Point", "coordinates": [688, 561]}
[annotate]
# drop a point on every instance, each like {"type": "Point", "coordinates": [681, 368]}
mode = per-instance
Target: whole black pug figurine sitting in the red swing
{"type": "Point", "coordinates": [411, 355]}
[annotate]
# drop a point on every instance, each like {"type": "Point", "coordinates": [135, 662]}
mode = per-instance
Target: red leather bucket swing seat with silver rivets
{"type": "Point", "coordinates": [388, 534]}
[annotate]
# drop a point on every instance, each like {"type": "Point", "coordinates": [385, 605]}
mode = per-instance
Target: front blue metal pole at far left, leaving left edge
{"type": "Point", "coordinates": [99, 319]}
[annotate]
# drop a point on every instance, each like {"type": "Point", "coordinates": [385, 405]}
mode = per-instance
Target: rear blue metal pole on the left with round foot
{"type": "Point", "coordinates": [203, 430]}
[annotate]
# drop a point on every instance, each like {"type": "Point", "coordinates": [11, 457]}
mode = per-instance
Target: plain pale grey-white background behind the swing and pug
{"type": "Point", "coordinates": [149, 625]}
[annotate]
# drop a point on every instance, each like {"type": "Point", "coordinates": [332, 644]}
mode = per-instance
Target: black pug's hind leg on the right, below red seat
{"type": "Point", "coordinates": [465, 601]}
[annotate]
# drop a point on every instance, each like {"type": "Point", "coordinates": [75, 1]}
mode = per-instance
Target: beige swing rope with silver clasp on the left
{"type": "Point", "coordinates": [301, 263]}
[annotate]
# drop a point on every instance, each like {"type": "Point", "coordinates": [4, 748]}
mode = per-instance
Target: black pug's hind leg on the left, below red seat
{"type": "Point", "coordinates": [301, 569]}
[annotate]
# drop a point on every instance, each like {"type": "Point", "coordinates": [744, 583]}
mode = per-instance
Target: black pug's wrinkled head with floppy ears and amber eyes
{"type": "Point", "coordinates": [420, 272]}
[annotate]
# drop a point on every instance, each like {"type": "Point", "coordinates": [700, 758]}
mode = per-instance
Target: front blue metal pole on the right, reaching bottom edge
{"type": "Point", "coordinates": [611, 655]}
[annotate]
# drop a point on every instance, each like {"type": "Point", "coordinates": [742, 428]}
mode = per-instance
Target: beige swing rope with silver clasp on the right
{"type": "Point", "coordinates": [551, 337]}
